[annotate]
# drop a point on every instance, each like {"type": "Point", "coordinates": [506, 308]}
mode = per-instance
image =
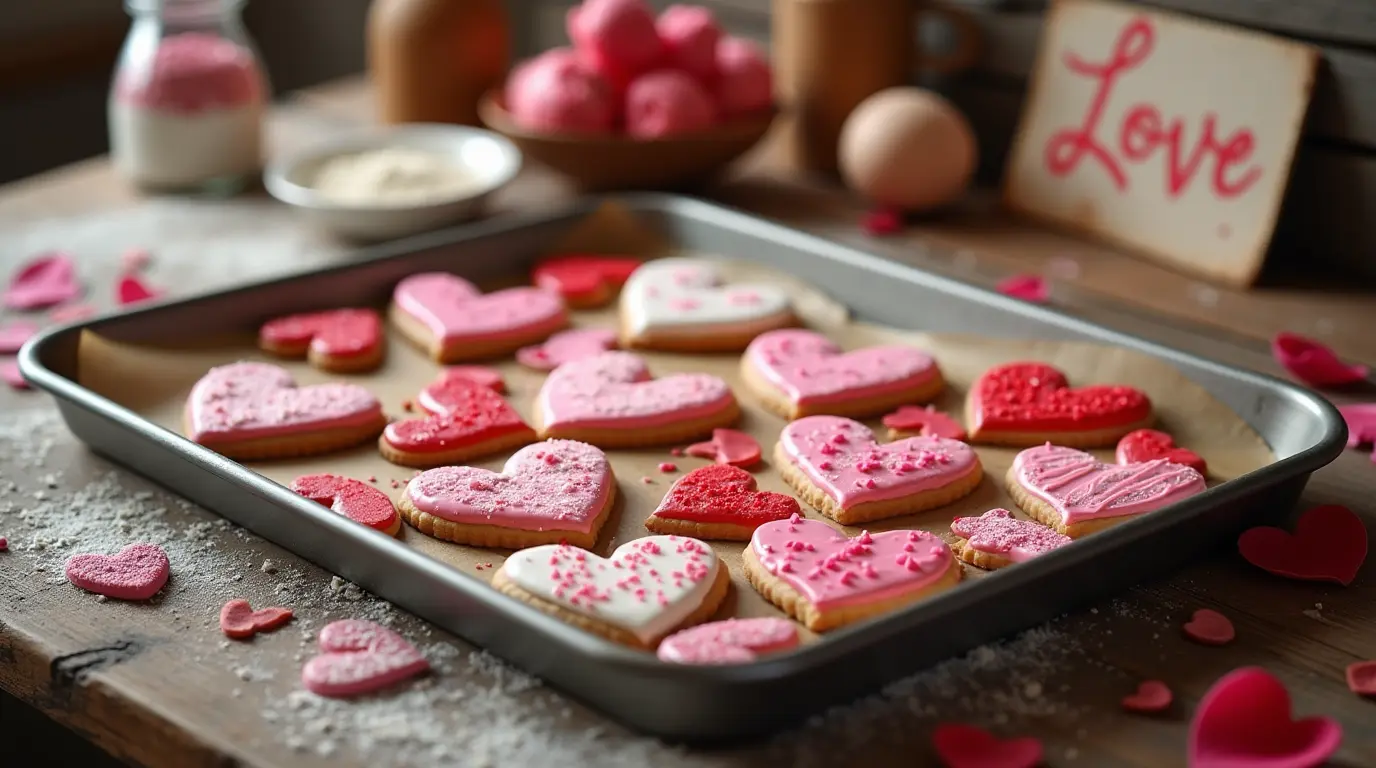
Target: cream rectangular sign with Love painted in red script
{"type": "Point", "coordinates": [1169, 136]}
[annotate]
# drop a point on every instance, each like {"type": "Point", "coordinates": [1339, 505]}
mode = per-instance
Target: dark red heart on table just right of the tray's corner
{"type": "Point", "coordinates": [1329, 544]}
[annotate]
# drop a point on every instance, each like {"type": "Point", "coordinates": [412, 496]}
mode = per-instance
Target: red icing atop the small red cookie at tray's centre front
{"type": "Point", "coordinates": [722, 493]}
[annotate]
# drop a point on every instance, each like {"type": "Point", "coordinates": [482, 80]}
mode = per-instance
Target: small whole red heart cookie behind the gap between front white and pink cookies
{"type": "Point", "coordinates": [719, 503]}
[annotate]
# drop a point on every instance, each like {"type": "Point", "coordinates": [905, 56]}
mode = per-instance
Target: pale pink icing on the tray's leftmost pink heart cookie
{"type": "Point", "coordinates": [247, 400]}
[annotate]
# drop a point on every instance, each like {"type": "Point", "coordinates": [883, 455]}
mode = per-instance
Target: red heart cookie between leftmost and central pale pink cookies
{"type": "Point", "coordinates": [467, 419]}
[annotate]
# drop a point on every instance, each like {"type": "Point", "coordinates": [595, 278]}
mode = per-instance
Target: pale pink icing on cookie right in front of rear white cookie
{"type": "Point", "coordinates": [614, 390]}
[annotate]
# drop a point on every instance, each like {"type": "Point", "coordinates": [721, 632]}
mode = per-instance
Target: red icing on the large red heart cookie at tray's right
{"type": "Point", "coordinates": [1037, 397]}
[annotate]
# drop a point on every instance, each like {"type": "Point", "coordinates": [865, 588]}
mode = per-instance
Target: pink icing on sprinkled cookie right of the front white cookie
{"type": "Point", "coordinates": [833, 572]}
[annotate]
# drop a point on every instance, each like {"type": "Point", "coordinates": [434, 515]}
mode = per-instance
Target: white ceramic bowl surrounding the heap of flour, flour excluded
{"type": "Point", "coordinates": [489, 156]}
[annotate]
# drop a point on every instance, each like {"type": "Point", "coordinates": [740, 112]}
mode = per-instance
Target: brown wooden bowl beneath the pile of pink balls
{"type": "Point", "coordinates": [598, 163]}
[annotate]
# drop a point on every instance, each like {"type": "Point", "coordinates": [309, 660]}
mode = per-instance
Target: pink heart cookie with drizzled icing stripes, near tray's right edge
{"type": "Point", "coordinates": [1078, 495]}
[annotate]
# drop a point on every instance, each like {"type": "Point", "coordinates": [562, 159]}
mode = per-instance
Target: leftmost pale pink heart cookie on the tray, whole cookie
{"type": "Point", "coordinates": [257, 411]}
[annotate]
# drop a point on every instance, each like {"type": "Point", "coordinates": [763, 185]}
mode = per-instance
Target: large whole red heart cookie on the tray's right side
{"type": "Point", "coordinates": [1027, 404]}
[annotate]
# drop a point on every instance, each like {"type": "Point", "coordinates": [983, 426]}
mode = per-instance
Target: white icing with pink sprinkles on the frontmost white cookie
{"type": "Point", "coordinates": [649, 619]}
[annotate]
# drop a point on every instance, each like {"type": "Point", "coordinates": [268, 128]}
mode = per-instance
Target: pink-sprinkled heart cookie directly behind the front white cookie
{"type": "Point", "coordinates": [558, 491]}
